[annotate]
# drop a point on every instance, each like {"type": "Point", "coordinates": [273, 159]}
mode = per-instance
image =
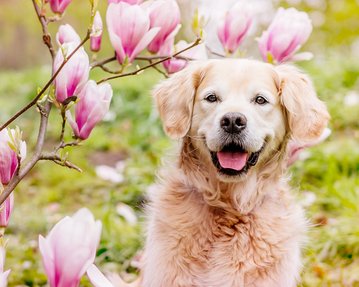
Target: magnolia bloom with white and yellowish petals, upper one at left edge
{"type": "Point", "coordinates": [8, 155]}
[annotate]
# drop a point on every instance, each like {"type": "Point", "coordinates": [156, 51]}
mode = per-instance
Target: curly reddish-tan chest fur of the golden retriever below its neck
{"type": "Point", "coordinates": [208, 246]}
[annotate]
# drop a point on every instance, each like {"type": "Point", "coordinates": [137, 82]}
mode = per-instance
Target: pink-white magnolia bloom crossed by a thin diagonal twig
{"type": "Point", "coordinates": [73, 75]}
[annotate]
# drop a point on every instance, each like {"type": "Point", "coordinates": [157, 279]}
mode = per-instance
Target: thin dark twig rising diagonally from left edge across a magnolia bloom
{"type": "Point", "coordinates": [43, 90]}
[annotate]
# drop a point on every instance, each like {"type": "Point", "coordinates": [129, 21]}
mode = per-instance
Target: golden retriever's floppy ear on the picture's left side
{"type": "Point", "coordinates": [174, 98]}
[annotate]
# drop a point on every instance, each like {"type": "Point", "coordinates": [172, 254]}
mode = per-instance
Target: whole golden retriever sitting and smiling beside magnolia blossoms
{"type": "Point", "coordinates": [223, 214]}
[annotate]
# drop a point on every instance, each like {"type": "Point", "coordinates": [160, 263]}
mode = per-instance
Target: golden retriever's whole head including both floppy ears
{"type": "Point", "coordinates": [239, 113]}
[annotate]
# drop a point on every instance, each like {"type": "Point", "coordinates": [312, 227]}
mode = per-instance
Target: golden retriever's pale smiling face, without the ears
{"type": "Point", "coordinates": [237, 115]}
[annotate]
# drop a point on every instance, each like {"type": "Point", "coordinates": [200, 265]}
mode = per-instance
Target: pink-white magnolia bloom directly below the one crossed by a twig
{"type": "Point", "coordinates": [94, 103]}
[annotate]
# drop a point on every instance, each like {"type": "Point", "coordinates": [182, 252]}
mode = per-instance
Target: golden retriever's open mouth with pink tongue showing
{"type": "Point", "coordinates": [233, 159]}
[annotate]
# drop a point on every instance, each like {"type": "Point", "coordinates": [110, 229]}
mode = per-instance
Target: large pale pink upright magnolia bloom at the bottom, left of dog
{"type": "Point", "coordinates": [70, 248]}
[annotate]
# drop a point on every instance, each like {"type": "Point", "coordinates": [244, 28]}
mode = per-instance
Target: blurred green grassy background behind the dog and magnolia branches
{"type": "Point", "coordinates": [130, 144]}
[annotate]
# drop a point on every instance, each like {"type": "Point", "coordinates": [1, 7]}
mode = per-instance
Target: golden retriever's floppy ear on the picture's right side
{"type": "Point", "coordinates": [307, 115]}
